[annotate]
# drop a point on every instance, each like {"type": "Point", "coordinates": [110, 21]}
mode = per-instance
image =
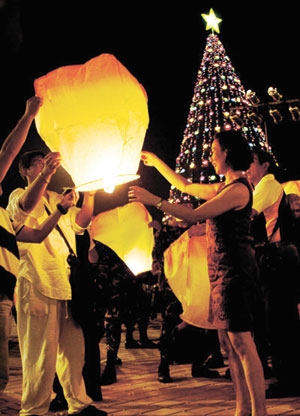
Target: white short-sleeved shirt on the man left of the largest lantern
{"type": "Point", "coordinates": [45, 264]}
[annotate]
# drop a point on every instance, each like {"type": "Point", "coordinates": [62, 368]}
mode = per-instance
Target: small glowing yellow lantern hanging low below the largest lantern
{"type": "Point", "coordinates": [126, 231]}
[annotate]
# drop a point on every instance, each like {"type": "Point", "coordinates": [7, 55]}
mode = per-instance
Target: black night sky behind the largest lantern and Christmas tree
{"type": "Point", "coordinates": [161, 44]}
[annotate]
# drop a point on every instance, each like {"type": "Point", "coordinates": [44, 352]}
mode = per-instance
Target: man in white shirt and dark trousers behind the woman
{"type": "Point", "coordinates": [279, 270]}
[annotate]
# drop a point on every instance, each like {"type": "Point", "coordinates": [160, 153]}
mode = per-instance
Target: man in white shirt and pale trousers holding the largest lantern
{"type": "Point", "coordinates": [49, 339]}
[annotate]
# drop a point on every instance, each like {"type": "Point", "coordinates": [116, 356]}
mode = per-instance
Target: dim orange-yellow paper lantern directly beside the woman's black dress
{"type": "Point", "coordinates": [185, 267]}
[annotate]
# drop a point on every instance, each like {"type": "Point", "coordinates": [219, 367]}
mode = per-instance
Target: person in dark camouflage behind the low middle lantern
{"type": "Point", "coordinates": [113, 302]}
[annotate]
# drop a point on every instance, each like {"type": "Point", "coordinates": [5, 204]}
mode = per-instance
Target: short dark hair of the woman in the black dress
{"type": "Point", "coordinates": [239, 155]}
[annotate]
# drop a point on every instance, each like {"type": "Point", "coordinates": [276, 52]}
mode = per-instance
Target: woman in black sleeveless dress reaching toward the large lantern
{"type": "Point", "coordinates": [231, 261]}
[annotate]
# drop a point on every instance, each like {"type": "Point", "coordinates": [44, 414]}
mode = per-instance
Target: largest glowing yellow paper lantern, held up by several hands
{"type": "Point", "coordinates": [96, 116]}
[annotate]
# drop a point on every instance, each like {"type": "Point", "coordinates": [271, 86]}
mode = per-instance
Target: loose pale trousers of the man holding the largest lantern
{"type": "Point", "coordinates": [49, 342]}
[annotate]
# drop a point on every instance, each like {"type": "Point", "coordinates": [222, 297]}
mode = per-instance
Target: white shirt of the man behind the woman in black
{"type": "Point", "coordinates": [266, 198]}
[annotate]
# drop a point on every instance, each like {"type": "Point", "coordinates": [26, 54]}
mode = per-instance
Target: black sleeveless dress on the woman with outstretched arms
{"type": "Point", "coordinates": [232, 268]}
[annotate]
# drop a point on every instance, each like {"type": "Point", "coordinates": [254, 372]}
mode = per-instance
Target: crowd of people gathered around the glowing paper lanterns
{"type": "Point", "coordinates": [252, 241]}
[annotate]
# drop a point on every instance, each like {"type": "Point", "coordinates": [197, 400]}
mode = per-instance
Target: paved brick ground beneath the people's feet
{"type": "Point", "coordinates": [138, 392]}
